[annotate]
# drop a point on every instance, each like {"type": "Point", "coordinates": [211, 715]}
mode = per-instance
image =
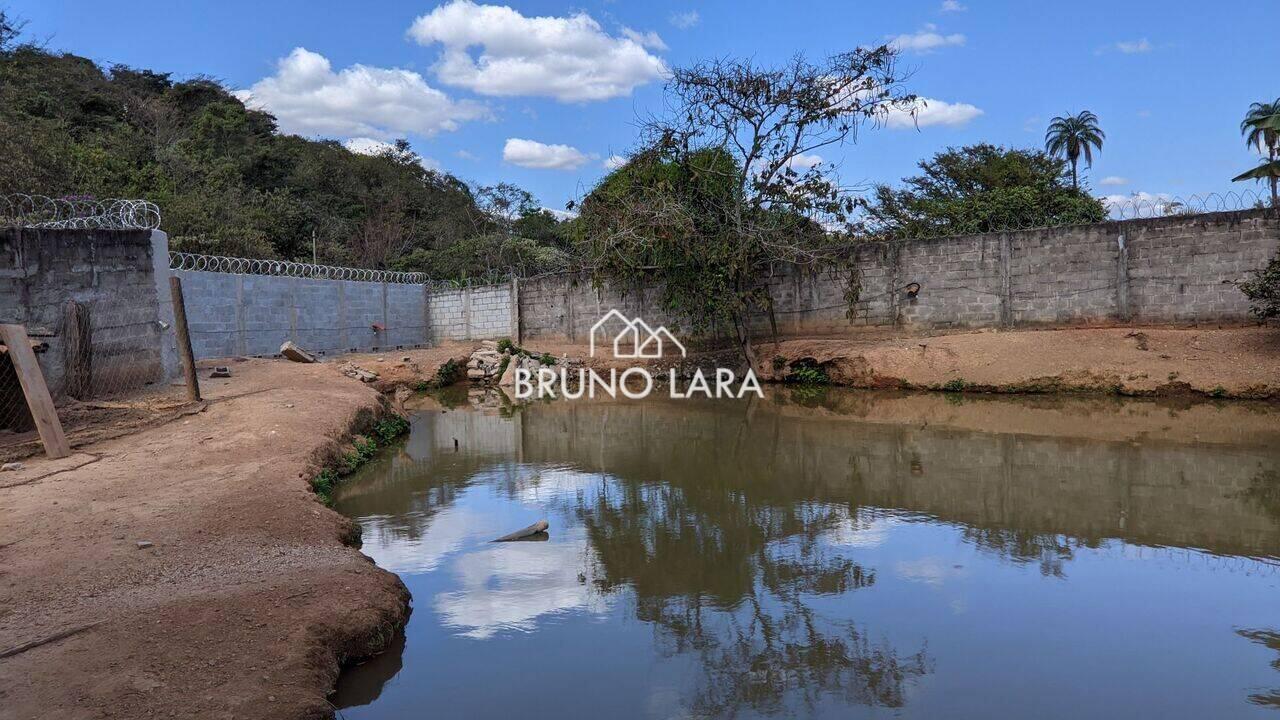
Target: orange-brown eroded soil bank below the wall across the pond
{"type": "Point", "coordinates": [1236, 362]}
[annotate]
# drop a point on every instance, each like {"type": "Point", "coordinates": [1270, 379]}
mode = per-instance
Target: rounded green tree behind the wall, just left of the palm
{"type": "Point", "coordinates": [981, 189]}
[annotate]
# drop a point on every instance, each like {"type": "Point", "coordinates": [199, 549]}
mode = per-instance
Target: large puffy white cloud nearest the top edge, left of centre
{"type": "Point", "coordinates": [572, 60]}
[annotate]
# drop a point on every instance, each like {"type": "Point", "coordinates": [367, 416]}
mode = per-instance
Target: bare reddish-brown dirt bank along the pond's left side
{"type": "Point", "coordinates": [246, 600]}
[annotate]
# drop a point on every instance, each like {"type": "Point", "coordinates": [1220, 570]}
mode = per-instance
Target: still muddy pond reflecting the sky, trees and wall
{"type": "Point", "coordinates": [829, 555]}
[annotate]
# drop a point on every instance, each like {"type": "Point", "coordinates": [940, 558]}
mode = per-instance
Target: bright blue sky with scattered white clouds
{"type": "Point", "coordinates": [1169, 81]}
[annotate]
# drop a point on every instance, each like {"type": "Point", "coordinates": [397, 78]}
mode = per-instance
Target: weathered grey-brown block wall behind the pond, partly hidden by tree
{"type": "Point", "coordinates": [1173, 270]}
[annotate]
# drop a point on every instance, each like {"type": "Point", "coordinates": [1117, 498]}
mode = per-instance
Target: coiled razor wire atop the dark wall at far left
{"type": "Point", "coordinates": [77, 212]}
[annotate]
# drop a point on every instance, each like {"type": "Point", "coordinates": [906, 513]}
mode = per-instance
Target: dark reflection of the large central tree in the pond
{"type": "Point", "coordinates": [732, 581]}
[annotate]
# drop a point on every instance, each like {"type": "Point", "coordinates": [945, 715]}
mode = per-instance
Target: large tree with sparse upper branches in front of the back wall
{"type": "Point", "coordinates": [725, 188]}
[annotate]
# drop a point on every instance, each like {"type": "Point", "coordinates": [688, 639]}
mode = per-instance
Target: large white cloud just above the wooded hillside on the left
{"type": "Point", "coordinates": [308, 98]}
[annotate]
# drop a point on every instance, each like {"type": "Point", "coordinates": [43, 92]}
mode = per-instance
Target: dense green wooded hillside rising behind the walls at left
{"type": "Point", "coordinates": [228, 183]}
